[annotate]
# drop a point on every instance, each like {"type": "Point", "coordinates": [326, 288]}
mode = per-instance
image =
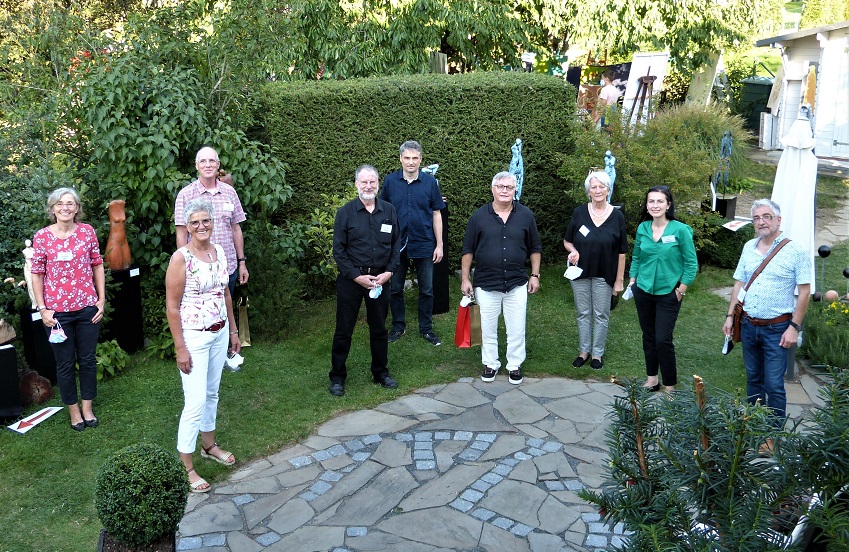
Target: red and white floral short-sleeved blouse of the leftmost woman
{"type": "Point", "coordinates": [67, 267]}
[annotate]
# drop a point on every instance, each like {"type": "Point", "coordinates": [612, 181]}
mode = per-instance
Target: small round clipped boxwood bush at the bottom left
{"type": "Point", "coordinates": [140, 497]}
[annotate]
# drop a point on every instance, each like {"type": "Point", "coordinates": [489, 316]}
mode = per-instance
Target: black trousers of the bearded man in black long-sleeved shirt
{"type": "Point", "coordinates": [349, 297]}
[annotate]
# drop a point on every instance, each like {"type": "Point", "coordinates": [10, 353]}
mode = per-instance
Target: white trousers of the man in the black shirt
{"type": "Point", "coordinates": [514, 306]}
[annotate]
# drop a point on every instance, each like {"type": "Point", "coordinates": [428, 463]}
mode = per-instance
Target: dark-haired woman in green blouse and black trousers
{"type": "Point", "coordinates": [663, 266]}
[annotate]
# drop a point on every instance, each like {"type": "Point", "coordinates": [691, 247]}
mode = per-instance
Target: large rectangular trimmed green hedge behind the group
{"type": "Point", "coordinates": [466, 123]}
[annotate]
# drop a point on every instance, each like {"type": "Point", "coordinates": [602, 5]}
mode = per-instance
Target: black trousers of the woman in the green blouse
{"type": "Point", "coordinates": [658, 314]}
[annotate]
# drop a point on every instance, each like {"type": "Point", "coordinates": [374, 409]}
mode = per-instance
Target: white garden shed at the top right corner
{"type": "Point", "coordinates": [815, 70]}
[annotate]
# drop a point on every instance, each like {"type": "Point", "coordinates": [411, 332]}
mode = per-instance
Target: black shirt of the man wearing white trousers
{"type": "Point", "coordinates": [501, 249]}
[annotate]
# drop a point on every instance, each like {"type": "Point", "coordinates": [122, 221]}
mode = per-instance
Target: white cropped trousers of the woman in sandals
{"type": "Point", "coordinates": [200, 387]}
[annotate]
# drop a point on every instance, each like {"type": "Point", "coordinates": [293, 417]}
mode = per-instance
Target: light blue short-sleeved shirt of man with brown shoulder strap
{"type": "Point", "coordinates": [773, 292]}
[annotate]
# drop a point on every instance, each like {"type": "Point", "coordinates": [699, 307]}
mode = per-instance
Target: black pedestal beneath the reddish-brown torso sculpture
{"type": "Point", "coordinates": [125, 319]}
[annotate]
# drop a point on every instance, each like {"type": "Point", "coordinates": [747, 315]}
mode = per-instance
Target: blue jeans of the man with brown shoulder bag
{"type": "Point", "coordinates": [766, 362]}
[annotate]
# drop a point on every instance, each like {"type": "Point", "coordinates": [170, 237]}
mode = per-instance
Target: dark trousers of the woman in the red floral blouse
{"type": "Point", "coordinates": [80, 348]}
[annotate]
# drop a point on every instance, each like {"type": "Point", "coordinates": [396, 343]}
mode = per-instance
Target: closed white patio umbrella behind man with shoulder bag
{"type": "Point", "coordinates": [795, 187]}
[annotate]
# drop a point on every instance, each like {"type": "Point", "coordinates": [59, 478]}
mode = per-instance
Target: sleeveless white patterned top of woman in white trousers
{"type": "Point", "coordinates": [203, 301]}
